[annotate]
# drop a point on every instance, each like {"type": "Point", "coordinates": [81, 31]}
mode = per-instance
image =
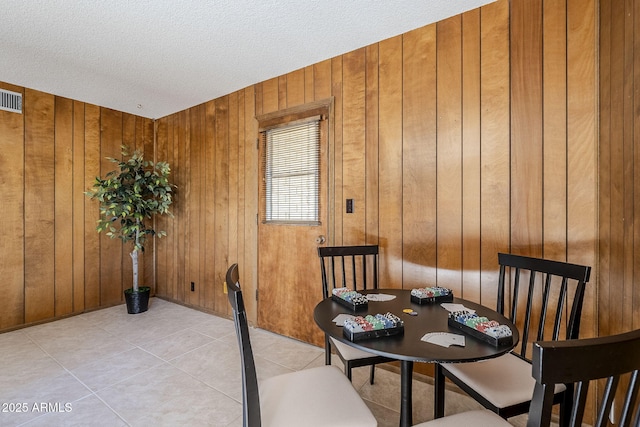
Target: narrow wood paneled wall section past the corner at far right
{"type": "Point", "coordinates": [619, 171]}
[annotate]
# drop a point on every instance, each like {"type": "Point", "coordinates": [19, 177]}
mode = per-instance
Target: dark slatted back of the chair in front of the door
{"type": "Point", "coordinates": [354, 267]}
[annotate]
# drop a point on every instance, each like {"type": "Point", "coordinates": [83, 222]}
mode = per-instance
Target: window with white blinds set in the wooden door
{"type": "Point", "coordinates": [291, 158]}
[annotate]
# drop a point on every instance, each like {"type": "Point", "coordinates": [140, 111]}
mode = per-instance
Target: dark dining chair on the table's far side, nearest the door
{"type": "Point", "coordinates": [354, 267]}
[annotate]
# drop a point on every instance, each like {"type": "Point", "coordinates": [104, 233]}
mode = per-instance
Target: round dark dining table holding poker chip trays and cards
{"type": "Point", "coordinates": [407, 347]}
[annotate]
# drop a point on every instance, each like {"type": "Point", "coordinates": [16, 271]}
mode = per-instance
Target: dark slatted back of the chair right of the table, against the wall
{"type": "Point", "coordinates": [542, 297]}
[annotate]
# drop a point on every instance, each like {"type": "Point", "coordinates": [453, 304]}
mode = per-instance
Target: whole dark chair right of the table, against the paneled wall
{"type": "Point", "coordinates": [543, 297]}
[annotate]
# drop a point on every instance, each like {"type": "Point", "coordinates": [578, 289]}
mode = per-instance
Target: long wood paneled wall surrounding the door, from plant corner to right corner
{"type": "Point", "coordinates": [461, 139]}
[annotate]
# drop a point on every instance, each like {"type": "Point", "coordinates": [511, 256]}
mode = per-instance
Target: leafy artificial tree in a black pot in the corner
{"type": "Point", "coordinates": [130, 196]}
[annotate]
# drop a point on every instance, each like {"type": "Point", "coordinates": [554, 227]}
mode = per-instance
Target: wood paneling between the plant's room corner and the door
{"type": "Point", "coordinates": [213, 153]}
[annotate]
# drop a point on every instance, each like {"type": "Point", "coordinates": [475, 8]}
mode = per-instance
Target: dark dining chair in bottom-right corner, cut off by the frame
{"type": "Point", "coordinates": [611, 360]}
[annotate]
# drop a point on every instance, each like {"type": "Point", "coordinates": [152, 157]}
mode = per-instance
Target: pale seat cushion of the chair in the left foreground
{"type": "Point", "coordinates": [321, 396]}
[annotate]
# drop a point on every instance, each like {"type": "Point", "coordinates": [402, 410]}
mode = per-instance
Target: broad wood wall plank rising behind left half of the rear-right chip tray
{"type": "Point", "coordinates": [418, 162]}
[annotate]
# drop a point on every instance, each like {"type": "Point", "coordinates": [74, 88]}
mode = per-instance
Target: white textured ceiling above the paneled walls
{"type": "Point", "coordinates": [156, 57]}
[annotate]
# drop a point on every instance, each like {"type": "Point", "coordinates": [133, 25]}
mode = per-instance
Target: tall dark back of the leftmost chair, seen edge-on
{"type": "Point", "coordinates": [250, 394]}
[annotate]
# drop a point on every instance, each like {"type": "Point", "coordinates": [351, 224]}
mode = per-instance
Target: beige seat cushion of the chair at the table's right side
{"type": "Point", "coordinates": [503, 381]}
